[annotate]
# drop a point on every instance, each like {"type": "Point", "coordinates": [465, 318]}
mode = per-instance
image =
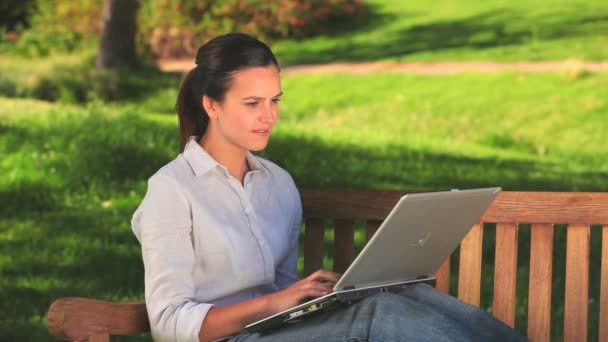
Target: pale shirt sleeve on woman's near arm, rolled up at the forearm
{"type": "Point", "coordinates": [163, 225]}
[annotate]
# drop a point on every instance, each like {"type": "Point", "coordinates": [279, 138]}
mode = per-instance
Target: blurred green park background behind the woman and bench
{"type": "Point", "coordinates": [436, 95]}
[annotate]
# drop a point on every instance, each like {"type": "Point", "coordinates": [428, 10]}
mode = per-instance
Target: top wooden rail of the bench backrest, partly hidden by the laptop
{"type": "Point", "coordinates": [513, 207]}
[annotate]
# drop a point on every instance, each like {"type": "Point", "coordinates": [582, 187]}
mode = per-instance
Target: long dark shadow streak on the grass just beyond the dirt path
{"type": "Point", "coordinates": [481, 31]}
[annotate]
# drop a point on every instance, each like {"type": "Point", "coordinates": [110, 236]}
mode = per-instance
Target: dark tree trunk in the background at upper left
{"type": "Point", "coordinates": [117, 45]}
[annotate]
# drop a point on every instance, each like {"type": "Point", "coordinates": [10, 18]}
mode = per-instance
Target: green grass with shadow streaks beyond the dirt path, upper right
{"type": "Point", "coordinates": [461, 30]}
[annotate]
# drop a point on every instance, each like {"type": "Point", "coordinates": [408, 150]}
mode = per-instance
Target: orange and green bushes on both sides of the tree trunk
{"type": "Point", "coordinates": [173, 28]}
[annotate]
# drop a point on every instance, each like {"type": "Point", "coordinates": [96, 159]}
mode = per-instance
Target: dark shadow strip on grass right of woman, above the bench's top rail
{"type": "Point", "coordinates": [401, 167]}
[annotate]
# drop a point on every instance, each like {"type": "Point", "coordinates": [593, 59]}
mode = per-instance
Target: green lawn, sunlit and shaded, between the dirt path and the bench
{"type": "Point", "coordinates": [73, 175]}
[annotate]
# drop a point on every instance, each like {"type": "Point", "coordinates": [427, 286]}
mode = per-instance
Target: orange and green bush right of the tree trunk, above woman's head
{"type": "Point", "coordinates": [177, 29]}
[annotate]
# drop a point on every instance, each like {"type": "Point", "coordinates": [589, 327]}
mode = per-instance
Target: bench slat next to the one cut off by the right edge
{"type": "Point", "coordinates": [577, 283]}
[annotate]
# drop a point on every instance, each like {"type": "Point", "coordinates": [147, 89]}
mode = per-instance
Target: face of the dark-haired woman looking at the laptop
{"type": "Point", "coordinates": [250, 108]}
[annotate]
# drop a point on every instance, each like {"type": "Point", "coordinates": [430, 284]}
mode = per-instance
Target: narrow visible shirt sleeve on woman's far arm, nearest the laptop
{"type": "Point", "coordinates": [287, 271]}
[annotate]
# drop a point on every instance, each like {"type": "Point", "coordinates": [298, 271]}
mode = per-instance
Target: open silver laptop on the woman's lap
{"type": "Point", "coordinates": [420, 232]}
